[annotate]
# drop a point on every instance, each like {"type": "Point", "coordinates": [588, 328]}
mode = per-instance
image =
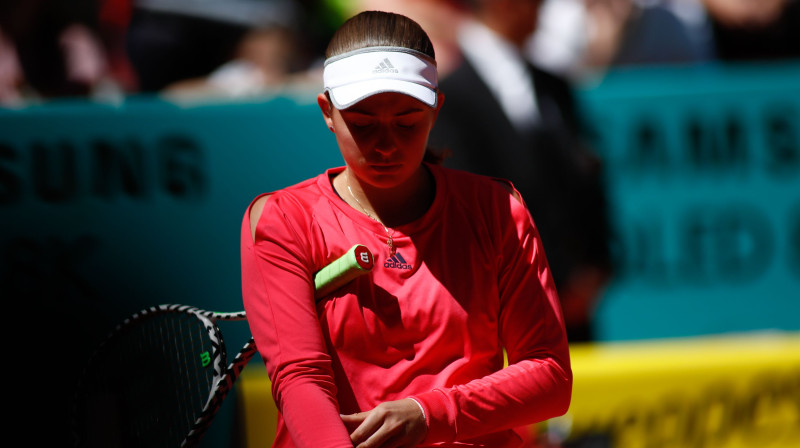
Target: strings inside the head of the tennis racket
{"type": "Point", "coordinates": [147, 372]}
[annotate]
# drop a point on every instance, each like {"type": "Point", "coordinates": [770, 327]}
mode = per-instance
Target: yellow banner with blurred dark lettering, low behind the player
{"type": "Point", "coordinates": [707, 392]}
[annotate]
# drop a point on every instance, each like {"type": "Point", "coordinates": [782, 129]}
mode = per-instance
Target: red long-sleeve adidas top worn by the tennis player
{"type": "Point", "coordinates": [468, 280]}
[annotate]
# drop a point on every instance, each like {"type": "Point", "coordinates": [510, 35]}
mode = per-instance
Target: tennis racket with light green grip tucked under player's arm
{"type": "Point", "coordinates": [160, 377]}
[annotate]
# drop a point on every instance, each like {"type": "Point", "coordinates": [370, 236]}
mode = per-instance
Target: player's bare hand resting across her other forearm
{"type": "Point", "coordinates": [392, 424]}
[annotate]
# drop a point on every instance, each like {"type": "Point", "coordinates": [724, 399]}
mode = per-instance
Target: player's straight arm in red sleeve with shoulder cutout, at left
{"type": "Point", "coordinates": [277, 290]}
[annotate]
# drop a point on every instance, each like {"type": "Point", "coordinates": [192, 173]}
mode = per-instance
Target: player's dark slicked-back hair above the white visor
{"type": "Point", "coordinates": [379, 29]}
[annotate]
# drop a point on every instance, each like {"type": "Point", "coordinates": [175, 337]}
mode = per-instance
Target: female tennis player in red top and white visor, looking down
{"type": "Point", "coordinates": [413, 353]}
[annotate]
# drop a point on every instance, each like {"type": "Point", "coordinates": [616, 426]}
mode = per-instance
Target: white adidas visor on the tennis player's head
{"type": "Point", "coordinates": [353, 76]}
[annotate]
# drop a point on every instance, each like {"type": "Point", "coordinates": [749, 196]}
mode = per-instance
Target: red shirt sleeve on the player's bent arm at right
{"type": "Point", "coordinates": [537, 384]}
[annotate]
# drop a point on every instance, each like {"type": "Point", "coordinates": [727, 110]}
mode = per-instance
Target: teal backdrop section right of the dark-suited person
{"type": "Point", "coordinates": [703, 174]}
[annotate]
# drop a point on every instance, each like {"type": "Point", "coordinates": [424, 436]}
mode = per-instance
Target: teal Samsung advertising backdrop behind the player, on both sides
{"type": "Point", "coordinates": [106, 209]}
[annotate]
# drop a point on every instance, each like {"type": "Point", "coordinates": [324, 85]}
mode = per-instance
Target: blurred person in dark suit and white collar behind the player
{"type": "Point", "coordinates": [506, 117]}
